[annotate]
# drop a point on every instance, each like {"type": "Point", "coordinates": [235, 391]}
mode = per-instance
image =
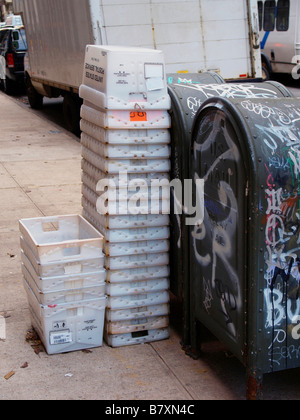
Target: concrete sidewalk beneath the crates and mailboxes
{"type": "Point", "coordinates": [40, 172]}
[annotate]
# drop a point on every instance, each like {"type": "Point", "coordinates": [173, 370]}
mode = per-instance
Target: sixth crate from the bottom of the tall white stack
{"type": "Point", "coordinates": [138, 274]}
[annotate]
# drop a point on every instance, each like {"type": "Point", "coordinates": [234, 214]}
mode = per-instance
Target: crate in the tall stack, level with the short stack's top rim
{"type": "Point", "coordinates": [121, 222]}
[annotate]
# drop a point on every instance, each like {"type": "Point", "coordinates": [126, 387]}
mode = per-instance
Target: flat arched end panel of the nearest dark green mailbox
{"type": "Point", "coordinates": [218, 245]}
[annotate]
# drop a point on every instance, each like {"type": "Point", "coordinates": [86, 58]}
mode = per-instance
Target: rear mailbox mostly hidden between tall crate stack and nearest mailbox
{"type": "Point", "coordinates": [188, 92]}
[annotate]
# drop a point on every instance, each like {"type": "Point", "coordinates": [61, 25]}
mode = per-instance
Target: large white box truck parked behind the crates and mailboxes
{"type": "Point", "coordinates": [195, 36]}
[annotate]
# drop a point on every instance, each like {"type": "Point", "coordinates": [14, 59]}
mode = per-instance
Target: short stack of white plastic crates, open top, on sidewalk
{"type": "Point", "coordinates": [65, 280]}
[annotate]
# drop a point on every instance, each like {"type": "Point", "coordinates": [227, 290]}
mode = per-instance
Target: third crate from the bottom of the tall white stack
{"type": "Point", "coordinates": [137, 313]}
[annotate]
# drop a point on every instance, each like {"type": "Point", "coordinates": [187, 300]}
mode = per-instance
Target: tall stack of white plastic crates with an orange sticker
{"type": "Point", "coordinates": [126, 146]}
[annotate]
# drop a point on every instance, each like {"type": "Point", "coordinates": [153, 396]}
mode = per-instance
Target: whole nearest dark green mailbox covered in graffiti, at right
{"type": "Point", "coordinates": [245, 255]}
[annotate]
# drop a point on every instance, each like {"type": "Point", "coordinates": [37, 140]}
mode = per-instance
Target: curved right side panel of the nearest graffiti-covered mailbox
{"type": "Point", "coordinates": [274, 264]}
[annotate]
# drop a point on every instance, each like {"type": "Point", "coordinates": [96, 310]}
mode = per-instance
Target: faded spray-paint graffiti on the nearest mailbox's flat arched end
{"type": "Point", "coordinates": [219, 230]}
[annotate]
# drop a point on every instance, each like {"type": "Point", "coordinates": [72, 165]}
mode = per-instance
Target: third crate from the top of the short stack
{"type": "Point", "coordinates": [65, 282]}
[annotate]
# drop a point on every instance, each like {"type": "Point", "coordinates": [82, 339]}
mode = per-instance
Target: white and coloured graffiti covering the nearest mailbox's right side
{"type": "Point", "coordinates": [280, 135]}
